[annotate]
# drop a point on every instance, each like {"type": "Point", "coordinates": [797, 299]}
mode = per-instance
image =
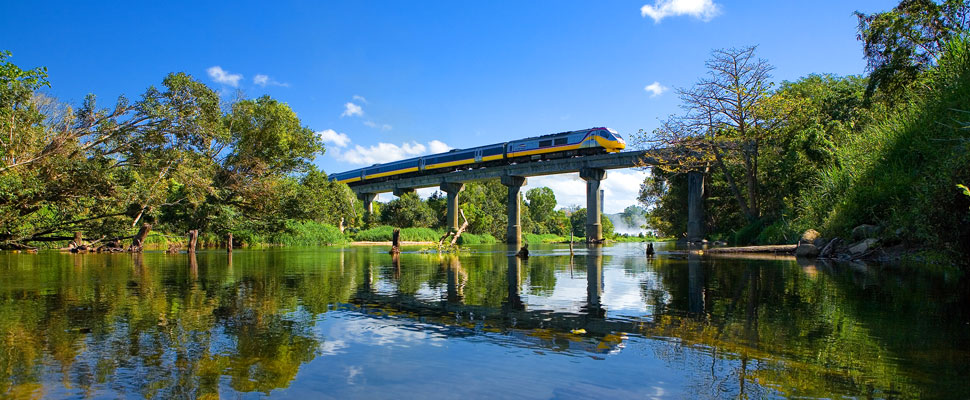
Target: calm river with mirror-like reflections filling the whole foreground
{"type": "Point", "coordinates": [353, 322]}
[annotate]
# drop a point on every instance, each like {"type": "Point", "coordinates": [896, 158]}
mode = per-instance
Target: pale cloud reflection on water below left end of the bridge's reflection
{"type": "Point", "coordinates": [381, 332]}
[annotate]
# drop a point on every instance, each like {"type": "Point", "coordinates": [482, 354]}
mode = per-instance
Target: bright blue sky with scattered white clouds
{"type": "Point", "coordinates": [384, 80]}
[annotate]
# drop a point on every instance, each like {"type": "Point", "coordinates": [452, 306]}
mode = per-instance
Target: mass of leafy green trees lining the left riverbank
{"type": "Point", "coordinates": [171, 158]}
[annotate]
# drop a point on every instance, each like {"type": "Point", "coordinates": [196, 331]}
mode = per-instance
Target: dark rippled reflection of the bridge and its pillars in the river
{"type": "Point", "coordinates": [586, 330]}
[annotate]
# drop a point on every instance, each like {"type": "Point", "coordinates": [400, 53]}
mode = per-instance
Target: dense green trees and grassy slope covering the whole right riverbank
{"type": "Point", "coordinates": [829, 152]}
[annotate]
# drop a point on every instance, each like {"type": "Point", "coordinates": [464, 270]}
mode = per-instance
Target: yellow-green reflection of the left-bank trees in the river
{"type": "Point", "coordinates": [155, 325]}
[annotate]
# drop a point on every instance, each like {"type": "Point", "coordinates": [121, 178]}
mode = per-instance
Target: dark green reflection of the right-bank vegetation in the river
{"type": "Point", "coordinates": [805, 334]}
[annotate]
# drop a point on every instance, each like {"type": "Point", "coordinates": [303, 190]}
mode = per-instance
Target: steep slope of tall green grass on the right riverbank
{"type": "Point", "coordinates": [900, 173]}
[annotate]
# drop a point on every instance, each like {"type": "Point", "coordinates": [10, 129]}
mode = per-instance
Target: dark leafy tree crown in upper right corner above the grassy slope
{"type": "Point", "coordinates": [902, 43]}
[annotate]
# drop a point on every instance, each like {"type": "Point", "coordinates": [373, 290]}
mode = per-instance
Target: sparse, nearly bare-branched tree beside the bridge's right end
{"type": "Point", "coordinates": [728, 116]}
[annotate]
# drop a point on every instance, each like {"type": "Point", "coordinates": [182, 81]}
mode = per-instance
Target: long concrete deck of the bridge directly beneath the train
{"type": "Point", "coordinates": [626, 159]}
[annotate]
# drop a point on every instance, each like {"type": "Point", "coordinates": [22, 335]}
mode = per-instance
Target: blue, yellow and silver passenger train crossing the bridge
{"type": "Point", "coordinates": [556, 145]}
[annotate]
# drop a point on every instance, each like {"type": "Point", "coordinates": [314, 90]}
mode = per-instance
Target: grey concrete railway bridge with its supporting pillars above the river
{"type": "Point", "coordinates": [592, 169]}
